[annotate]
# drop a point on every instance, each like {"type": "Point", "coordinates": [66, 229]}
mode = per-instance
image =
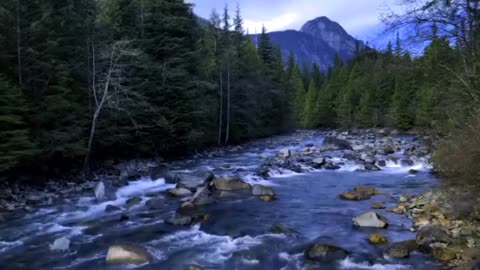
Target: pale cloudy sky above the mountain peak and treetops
{"type": "Point", "coordinates": [359, 17]}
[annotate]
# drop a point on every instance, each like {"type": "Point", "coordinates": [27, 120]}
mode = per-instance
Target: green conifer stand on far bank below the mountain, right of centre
{"type": "Point", "coordinates": [381, 89]}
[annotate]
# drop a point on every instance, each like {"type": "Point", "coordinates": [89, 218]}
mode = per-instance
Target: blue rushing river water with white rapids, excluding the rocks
{"type": "Point", "coordinates": [236, 236]}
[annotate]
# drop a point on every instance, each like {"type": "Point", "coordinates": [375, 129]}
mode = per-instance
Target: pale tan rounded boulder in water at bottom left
{"type": "Point", "coordinates": [128, 254]}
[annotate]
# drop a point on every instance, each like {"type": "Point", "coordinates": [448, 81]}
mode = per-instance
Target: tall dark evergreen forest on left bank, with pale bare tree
{"type": "Point", "coordinates": [119, 78]}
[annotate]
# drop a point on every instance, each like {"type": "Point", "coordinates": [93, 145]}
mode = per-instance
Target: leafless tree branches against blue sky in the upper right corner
{"type": "Point", "coordinates": [457, 20]}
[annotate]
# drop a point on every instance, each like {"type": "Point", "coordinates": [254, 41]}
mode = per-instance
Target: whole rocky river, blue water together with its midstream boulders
{"type": "Point", "coordinates": [228, 203]}
